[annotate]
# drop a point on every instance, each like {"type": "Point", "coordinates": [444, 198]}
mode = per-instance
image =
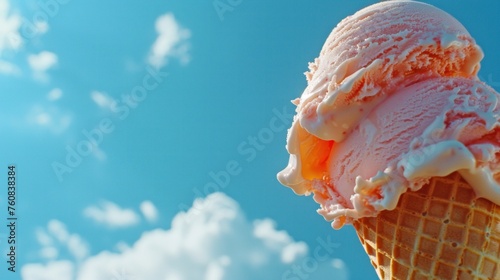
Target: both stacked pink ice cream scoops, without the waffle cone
{"type": "Point", "coordinates": [392, 100]}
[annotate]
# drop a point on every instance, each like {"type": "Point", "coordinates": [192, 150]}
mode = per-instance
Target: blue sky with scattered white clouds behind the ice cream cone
{"type": "Point", "coordinates": [182, 100]}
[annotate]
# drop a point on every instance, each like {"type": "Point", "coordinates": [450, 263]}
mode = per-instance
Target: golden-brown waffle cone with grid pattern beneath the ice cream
{"type": "Point", "coordinates": [439, 232]}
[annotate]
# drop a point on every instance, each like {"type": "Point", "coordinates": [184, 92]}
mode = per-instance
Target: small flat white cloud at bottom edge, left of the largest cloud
{"type": "Point", "coordinates": [60, 270]}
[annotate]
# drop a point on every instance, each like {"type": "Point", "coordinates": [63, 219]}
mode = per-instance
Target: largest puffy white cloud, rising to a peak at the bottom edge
{"type": "Point", "coordinates": [212, 241]}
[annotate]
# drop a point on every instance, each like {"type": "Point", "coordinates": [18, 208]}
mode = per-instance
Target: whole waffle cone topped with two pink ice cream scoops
{"type": "Point", "coordinates": [396, 134]}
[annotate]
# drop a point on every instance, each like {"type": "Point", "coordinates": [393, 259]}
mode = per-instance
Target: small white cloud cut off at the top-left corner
{"type": "Point", "coordinates": [9, 28]}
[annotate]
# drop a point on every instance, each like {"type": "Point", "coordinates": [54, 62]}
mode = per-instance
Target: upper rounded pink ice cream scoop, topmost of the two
{"type": "Point", "coordinates": [376, 51]}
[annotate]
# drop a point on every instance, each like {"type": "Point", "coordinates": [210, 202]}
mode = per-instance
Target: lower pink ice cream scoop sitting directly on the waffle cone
{"type": "Point", "coordinates": [431, 128]}
